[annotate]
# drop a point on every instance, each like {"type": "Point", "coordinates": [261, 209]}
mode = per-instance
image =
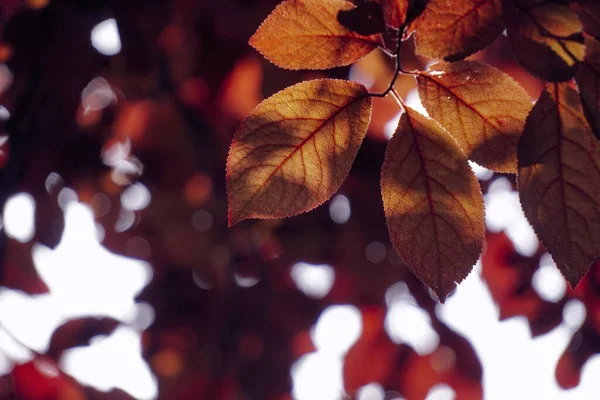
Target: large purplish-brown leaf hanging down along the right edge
{"type": "Point", "coordinates": [559, 175]}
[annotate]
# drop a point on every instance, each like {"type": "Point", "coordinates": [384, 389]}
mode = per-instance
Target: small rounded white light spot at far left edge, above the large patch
{"type": "Point", "coordinates": [19, 217]}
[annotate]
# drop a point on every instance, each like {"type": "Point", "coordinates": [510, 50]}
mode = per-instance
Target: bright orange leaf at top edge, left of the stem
{"type": "Point", "coordinates": [305, 34]}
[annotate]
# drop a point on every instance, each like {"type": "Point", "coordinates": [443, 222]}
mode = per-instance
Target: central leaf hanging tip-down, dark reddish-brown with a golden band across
{"type": "Point", "coordinates": [432, 202]}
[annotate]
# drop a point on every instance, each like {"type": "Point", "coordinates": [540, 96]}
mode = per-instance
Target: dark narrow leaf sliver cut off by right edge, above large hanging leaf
{"type": "Point", "coordinates": [588, 80]}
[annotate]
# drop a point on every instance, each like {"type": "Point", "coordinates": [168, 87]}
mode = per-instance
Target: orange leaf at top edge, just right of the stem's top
{"type": "Point", "coordinates": [455, 29]}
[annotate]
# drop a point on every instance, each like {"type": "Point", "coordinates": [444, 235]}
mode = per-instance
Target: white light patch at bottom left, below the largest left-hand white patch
{"type": "Point", "coordinates": [112, 362]}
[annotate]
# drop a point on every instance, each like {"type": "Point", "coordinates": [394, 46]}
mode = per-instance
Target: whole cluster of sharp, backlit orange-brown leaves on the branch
{"type": "Point", "coordinates": [294, 150]}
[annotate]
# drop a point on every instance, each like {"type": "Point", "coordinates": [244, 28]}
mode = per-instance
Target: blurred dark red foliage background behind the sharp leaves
{"type": "Point", "coordinates": [137, 129]}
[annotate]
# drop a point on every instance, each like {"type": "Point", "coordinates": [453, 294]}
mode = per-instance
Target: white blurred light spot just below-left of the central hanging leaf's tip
{"type": "Point", "coordinates": [406, 322]}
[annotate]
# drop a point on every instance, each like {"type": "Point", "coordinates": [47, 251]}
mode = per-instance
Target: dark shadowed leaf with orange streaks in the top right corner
{"type": "Point", "coordinates": [546, 38]}
